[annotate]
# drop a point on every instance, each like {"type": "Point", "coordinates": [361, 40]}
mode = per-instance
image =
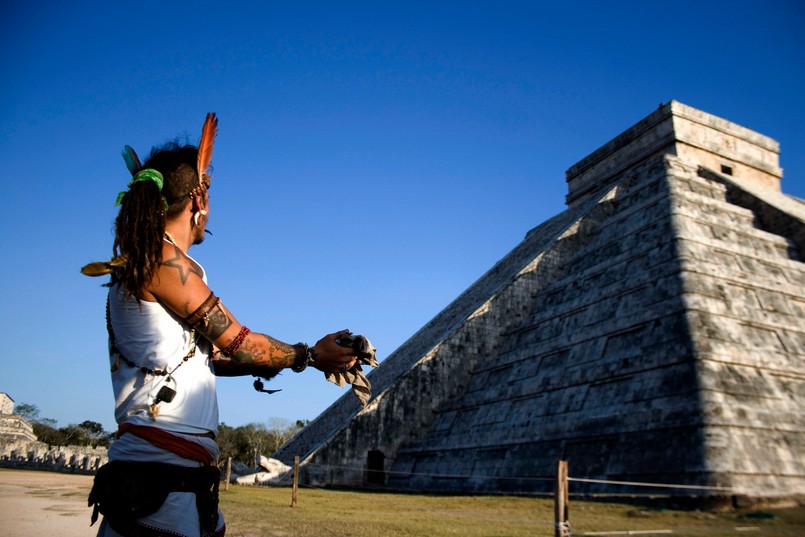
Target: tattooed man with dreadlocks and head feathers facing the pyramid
{"type": "Point", "coordinates": [169, 336]}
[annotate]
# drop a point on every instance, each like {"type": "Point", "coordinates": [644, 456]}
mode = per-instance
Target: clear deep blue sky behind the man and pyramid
{"type": "Point", "coordinates": [374, 158]}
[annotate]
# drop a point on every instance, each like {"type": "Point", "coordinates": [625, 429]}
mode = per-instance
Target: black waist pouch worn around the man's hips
{"type": "Point", "coordinates": [125, 491]}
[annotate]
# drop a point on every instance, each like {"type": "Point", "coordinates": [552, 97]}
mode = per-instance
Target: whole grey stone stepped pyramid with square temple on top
{"type": "Point", "coordinates": [652, 332]}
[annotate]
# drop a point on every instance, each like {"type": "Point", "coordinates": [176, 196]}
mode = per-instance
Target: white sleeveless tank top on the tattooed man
{"type": "Point", "coordinates": [151, 337]}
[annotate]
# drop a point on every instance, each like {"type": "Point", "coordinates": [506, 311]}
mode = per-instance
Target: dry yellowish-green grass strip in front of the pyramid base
{"type": "Point", "coordinates": [266, 511]}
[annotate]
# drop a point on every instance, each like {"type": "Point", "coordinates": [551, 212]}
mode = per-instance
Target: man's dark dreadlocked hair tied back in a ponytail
{"type": "Point", "coordinates": [140, 225]}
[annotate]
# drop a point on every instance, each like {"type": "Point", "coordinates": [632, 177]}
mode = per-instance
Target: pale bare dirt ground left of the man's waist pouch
{"type": "Point", "coordinates": [44, 504]}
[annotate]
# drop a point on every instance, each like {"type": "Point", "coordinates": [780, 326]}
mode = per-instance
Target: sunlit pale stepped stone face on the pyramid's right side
{"type": "Point", "coordinates": [744, 286]}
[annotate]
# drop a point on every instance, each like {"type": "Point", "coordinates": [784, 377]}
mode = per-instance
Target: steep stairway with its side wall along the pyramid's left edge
{"type": "Point", "coordinates": [399, 378]}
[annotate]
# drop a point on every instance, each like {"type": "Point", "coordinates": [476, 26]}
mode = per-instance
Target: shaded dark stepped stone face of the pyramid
{"type": "Point", "coordinates": [600, 372]}
